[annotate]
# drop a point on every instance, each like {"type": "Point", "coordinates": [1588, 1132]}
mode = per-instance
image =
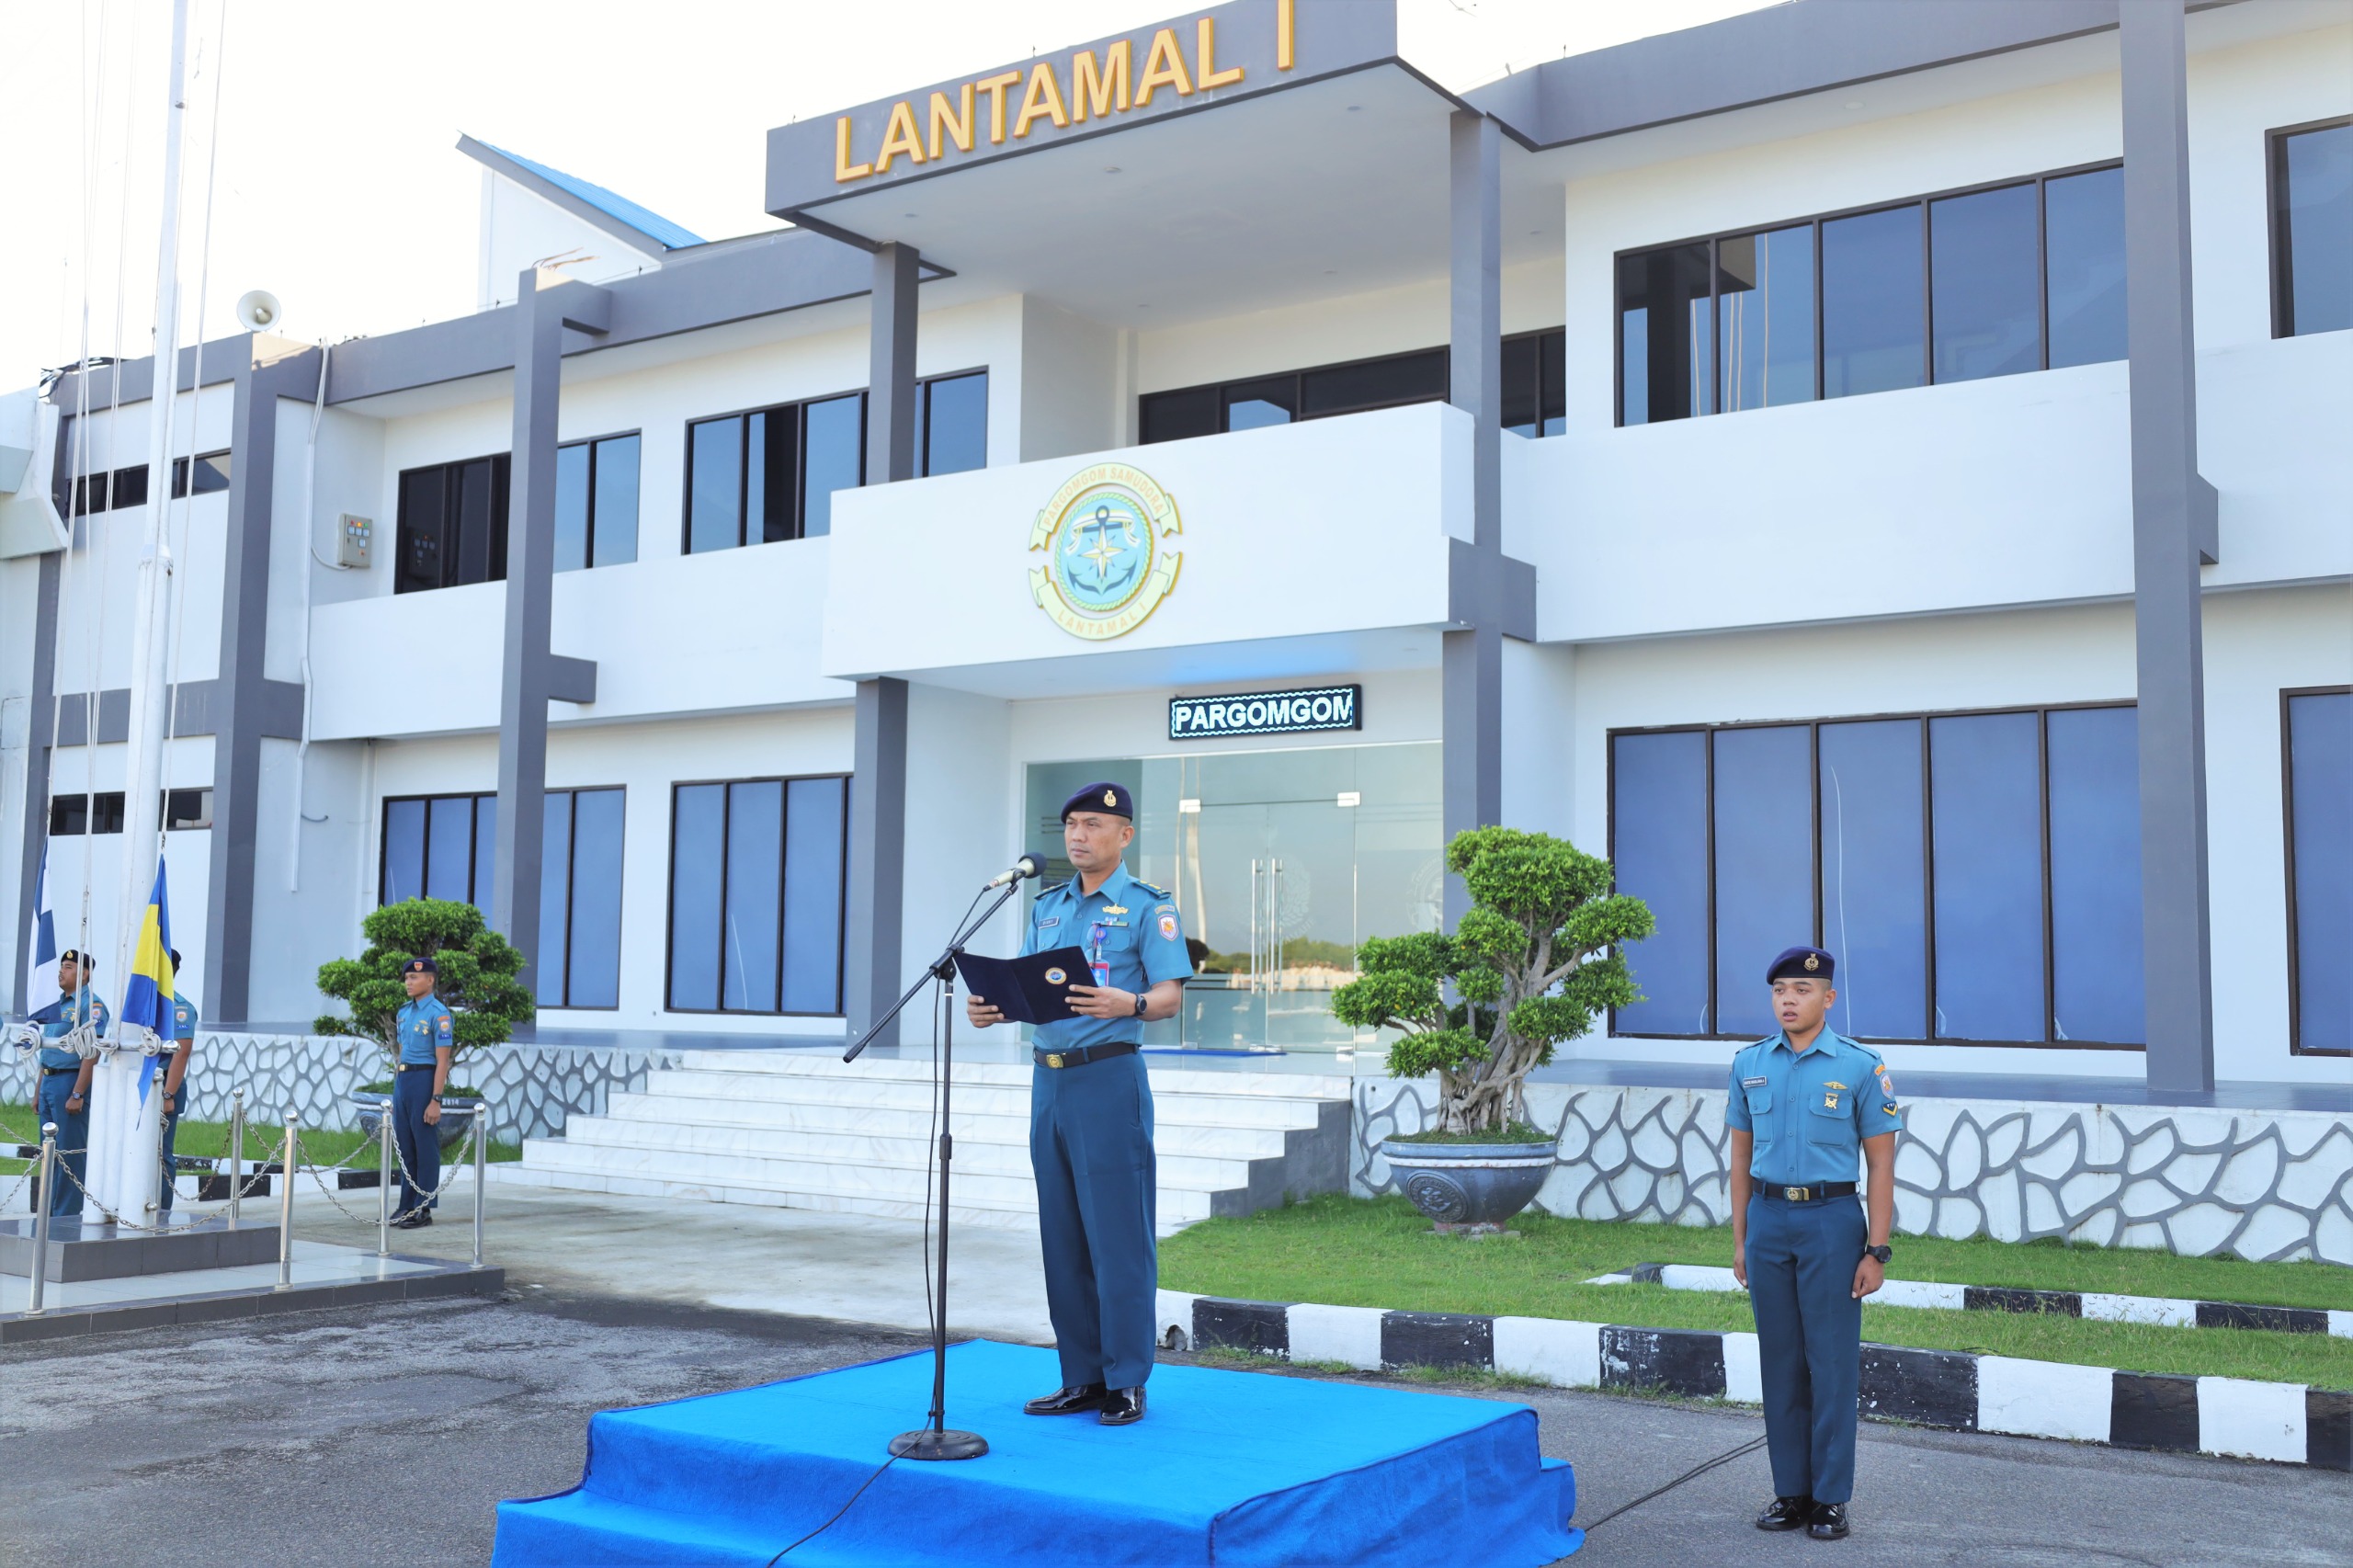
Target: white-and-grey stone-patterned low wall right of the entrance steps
{"type": "Point", "coordinates": [2189, 1181]}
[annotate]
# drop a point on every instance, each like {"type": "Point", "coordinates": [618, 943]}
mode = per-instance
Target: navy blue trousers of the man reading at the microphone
{"type": "Point", "coordinates": [1093, 1152]}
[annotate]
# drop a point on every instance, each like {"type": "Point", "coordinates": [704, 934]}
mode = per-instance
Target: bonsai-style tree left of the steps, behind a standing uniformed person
{"type": "Point", "coordinates": [476, 981]}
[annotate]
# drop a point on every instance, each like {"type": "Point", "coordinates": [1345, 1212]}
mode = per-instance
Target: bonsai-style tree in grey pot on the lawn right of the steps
{"type": "Point", "coordinates": [1538, 957]}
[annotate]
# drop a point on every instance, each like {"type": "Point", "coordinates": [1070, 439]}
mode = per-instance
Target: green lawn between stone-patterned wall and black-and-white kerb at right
{"type": "Point", "coordinates": [1382, 1254]}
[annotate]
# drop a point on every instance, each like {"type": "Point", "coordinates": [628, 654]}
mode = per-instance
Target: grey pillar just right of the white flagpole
{"type": "Point", "coordinates": [241, 700]}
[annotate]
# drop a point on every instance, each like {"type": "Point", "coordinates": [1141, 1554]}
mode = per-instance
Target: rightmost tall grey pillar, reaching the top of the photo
{"type": "Point", "coordinates": [2173, 514]}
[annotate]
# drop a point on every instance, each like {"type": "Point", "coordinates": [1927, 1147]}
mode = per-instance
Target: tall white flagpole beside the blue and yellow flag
{"type": "Point", "coordinates": [126, 1131]}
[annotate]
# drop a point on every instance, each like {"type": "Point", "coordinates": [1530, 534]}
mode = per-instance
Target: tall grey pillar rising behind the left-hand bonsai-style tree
{"type": "Point", "coordinates": [528, 672]}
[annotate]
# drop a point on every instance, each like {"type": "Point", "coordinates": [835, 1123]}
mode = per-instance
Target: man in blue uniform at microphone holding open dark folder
{"type": "Point", "coordinates": [1093, 1110]}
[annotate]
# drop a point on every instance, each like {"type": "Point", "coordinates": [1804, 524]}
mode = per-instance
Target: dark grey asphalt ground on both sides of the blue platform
{"type": "Point", "coordinates": [356, 1440]}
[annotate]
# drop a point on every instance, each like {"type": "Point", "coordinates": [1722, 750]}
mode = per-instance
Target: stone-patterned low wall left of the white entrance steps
{"type": "Point", "coordinates": [531, 1089]}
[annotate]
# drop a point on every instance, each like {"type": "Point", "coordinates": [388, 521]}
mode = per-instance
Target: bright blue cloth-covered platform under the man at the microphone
{"type": "Point", "coordinates": [1229, 1468]}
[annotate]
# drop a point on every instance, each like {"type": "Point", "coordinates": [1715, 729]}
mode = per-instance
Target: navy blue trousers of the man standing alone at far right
{"type": "Point", "coordinates": [1811, 1341]}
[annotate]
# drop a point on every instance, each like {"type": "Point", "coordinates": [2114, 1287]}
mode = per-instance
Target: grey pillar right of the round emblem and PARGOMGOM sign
{"type": "Point", "coordinates": [1472, 686]}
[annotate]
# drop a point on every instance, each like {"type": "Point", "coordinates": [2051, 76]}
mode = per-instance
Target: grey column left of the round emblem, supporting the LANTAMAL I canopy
{"type": "Point", "coordinates": [872, 948]}
